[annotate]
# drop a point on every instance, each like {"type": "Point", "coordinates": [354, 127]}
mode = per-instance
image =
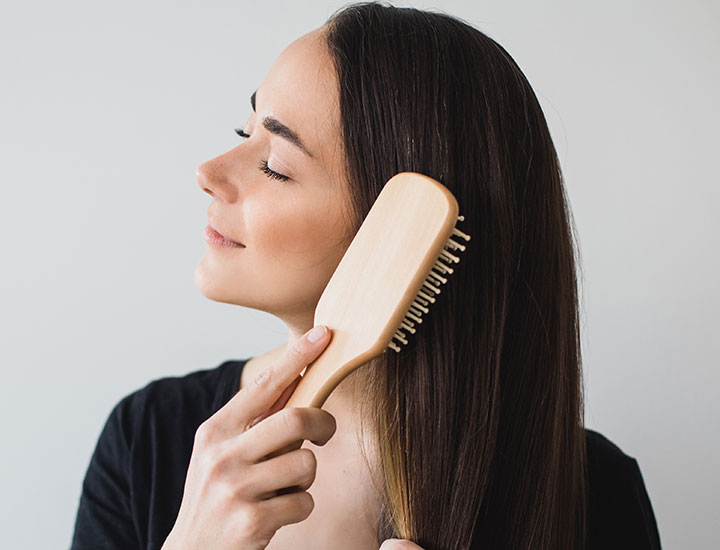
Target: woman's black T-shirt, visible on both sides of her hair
{"type": "Point", "coordinates": [133, 486]}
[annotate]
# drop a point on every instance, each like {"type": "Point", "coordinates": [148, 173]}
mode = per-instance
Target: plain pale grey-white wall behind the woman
{"type": "Point", "coordinates": [107, 109]}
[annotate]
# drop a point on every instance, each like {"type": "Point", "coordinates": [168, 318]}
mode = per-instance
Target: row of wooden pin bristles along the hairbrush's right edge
{"type": "Point", "coordinates": [430, 288]}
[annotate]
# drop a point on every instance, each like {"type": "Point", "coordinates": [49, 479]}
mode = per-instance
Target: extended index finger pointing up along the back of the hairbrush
{"type": "Point", "coordinates": [262, 393]}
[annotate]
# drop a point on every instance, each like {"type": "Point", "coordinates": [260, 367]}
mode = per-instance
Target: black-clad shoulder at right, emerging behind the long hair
{"type": "Point", "coordinates": [619, 508]}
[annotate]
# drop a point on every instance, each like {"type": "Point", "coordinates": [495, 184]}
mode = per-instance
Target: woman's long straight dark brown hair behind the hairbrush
{"type": "Point", "coordinates": [478, 420]}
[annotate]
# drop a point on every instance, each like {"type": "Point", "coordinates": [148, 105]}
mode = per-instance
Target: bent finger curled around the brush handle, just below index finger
{"type": "Point", "coordinates": [283, 428]}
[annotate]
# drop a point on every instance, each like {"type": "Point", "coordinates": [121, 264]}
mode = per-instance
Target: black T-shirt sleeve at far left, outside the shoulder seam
{"type": "Point", "coordinates": [104, 517]}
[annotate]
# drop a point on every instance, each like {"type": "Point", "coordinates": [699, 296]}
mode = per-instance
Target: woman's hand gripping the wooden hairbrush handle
{"type": "Point", "coordinates": [232, 497]}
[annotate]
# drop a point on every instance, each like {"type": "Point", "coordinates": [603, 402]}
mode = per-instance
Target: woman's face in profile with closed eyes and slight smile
{"type": "Point", "coordinates": [294, 232]}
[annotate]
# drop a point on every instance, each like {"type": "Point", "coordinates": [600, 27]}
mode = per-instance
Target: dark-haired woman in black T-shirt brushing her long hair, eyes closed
{"type": "Point", "coordinates": [471, 436]}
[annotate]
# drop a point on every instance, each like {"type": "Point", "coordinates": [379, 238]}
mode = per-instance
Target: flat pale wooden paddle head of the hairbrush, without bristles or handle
{"type": "Point", "coordinates": [386, 264]}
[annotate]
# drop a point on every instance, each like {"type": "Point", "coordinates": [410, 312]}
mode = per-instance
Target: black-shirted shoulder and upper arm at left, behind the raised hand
{"type": "Point", "coordinates": [133, 485]}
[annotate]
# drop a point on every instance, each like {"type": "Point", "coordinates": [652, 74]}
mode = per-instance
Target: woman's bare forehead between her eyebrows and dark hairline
{"type": "Point", "coordinates": [301, 91]}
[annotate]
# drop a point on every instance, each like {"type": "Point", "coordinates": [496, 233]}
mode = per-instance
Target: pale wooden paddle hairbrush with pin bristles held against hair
{"type": "Point", "coordinates": [389, 275]}
